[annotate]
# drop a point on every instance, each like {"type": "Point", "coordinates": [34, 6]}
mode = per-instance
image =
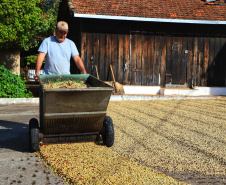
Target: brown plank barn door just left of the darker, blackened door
{"type": "Point", "coordinates": [146, 56]}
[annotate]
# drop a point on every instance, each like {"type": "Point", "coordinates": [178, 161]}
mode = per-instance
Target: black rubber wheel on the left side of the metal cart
{"type": "Point", "coordinates": [33, 135]}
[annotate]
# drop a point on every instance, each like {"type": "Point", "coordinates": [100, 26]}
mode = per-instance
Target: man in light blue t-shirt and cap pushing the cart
{"type": "Point", "coordinates": [58, 50]}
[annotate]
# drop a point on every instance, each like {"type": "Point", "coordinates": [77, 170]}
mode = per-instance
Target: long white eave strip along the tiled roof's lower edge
{"type": "Point", "coordinates": [145, 19]}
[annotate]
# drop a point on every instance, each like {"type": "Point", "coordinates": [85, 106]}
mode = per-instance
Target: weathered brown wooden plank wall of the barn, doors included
{"type": "Point", "coordinates": [147, 59]}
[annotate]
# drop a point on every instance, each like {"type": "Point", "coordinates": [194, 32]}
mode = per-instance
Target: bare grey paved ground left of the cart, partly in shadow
{"type": "Point", "coordinates": [18, 164]}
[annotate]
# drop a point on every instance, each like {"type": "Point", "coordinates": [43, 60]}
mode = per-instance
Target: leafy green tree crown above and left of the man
{"type": "Point", "coordinates": [24, 23]}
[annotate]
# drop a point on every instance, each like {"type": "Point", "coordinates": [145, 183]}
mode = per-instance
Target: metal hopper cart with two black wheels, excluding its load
{"type": "Point", "coordinates": [72, 115]}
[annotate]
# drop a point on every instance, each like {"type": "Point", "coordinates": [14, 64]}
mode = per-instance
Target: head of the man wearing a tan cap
{"type": "Point", "coordinates": [61, 31]}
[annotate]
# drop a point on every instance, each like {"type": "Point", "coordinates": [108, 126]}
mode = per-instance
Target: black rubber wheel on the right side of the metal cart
{"type": "Point", "coordinates": [108, 135]}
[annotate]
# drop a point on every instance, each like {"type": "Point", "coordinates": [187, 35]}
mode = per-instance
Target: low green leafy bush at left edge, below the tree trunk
{"type": "Point", "coordinates": [11, 85]}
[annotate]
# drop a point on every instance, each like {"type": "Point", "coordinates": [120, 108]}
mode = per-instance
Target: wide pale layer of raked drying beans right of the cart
{"type": "Point", "coordinates": [182, 138]}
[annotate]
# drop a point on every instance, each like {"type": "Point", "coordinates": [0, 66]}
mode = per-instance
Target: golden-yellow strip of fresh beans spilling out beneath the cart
{"type": "Point", "coordinates": [89, 163]}
